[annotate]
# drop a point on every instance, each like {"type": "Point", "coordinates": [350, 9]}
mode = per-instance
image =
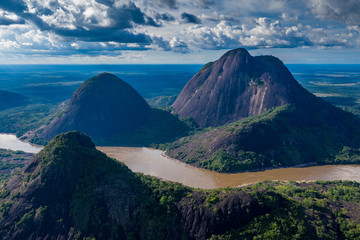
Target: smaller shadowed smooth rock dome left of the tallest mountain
{"type": "Point", "coordinates": [101, 107]}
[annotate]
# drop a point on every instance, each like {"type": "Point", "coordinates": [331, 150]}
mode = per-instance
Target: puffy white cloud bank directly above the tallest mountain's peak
{"type": "Point", "coordinates": [263, 34]}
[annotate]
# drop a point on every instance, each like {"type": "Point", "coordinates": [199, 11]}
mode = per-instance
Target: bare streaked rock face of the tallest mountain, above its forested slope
{"type": "Point", "coordinates": [237, 86]}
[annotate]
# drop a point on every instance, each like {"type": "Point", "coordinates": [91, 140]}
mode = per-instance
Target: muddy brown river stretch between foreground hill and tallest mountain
{"type": "Point", "coordinates": [153, 162]}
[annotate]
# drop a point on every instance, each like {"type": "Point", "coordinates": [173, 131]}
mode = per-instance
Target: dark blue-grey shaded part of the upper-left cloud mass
{"type": "Point", "coordinates": [123, 19]}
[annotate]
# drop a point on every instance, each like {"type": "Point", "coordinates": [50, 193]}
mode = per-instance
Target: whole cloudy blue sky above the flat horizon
{"type": "Point", "coordinates": [177, 31]}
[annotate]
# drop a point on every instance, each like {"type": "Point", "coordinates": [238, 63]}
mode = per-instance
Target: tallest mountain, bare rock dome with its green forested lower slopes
{"type": "Point", "coordinates": [263, 118]}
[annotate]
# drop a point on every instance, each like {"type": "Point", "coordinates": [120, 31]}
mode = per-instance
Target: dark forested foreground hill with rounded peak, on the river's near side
{"type": "Point", "coordinates": [72, 191]}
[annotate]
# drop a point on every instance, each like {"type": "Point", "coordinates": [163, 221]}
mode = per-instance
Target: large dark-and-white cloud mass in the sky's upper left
{"type": "Point", "coordinates": [92, 21]}
